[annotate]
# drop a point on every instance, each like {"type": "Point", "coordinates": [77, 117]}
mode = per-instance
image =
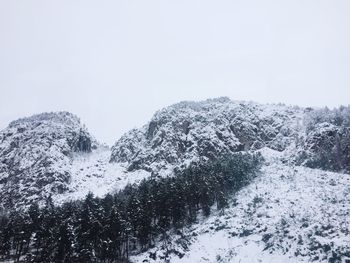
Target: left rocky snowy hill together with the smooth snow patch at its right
{"type": "Point", "coordinates": [52, 155]}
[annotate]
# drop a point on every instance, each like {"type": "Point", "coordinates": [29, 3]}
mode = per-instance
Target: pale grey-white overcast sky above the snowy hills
{"type": "Point", "coordinates": [114, 63]}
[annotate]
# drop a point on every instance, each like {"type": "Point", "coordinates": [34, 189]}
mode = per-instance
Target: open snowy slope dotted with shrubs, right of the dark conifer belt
{"type": "Point", "coordinates": [288, 214]}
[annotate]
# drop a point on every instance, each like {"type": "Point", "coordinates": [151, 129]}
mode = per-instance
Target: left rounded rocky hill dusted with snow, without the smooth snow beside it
{"type": "Point", "coordinates": [35, 156]}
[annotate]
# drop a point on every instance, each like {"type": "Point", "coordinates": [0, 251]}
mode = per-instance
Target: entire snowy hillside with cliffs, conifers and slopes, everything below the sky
{"type": "Point", "coordinates": [164, 193]}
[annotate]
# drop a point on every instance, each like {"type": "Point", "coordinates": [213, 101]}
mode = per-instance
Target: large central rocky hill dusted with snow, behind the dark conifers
{"type": "Point", "coordinates": [190, 130]}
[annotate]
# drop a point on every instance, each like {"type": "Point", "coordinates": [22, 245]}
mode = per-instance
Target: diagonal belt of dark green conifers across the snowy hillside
{"type": "Point", "coordinates": [108, 229]}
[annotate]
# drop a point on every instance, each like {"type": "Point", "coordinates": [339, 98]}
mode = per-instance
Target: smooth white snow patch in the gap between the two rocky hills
{"type": "Point", "coordinates": [92, 172]}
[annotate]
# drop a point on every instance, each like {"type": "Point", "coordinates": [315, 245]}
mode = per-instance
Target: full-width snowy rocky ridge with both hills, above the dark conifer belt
{"type": "Point", "coordinates": [53, 154]}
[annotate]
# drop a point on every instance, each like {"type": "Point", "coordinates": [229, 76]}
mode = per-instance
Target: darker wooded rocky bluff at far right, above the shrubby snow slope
{"type": "Point", "coordinates": [326, 142]}
